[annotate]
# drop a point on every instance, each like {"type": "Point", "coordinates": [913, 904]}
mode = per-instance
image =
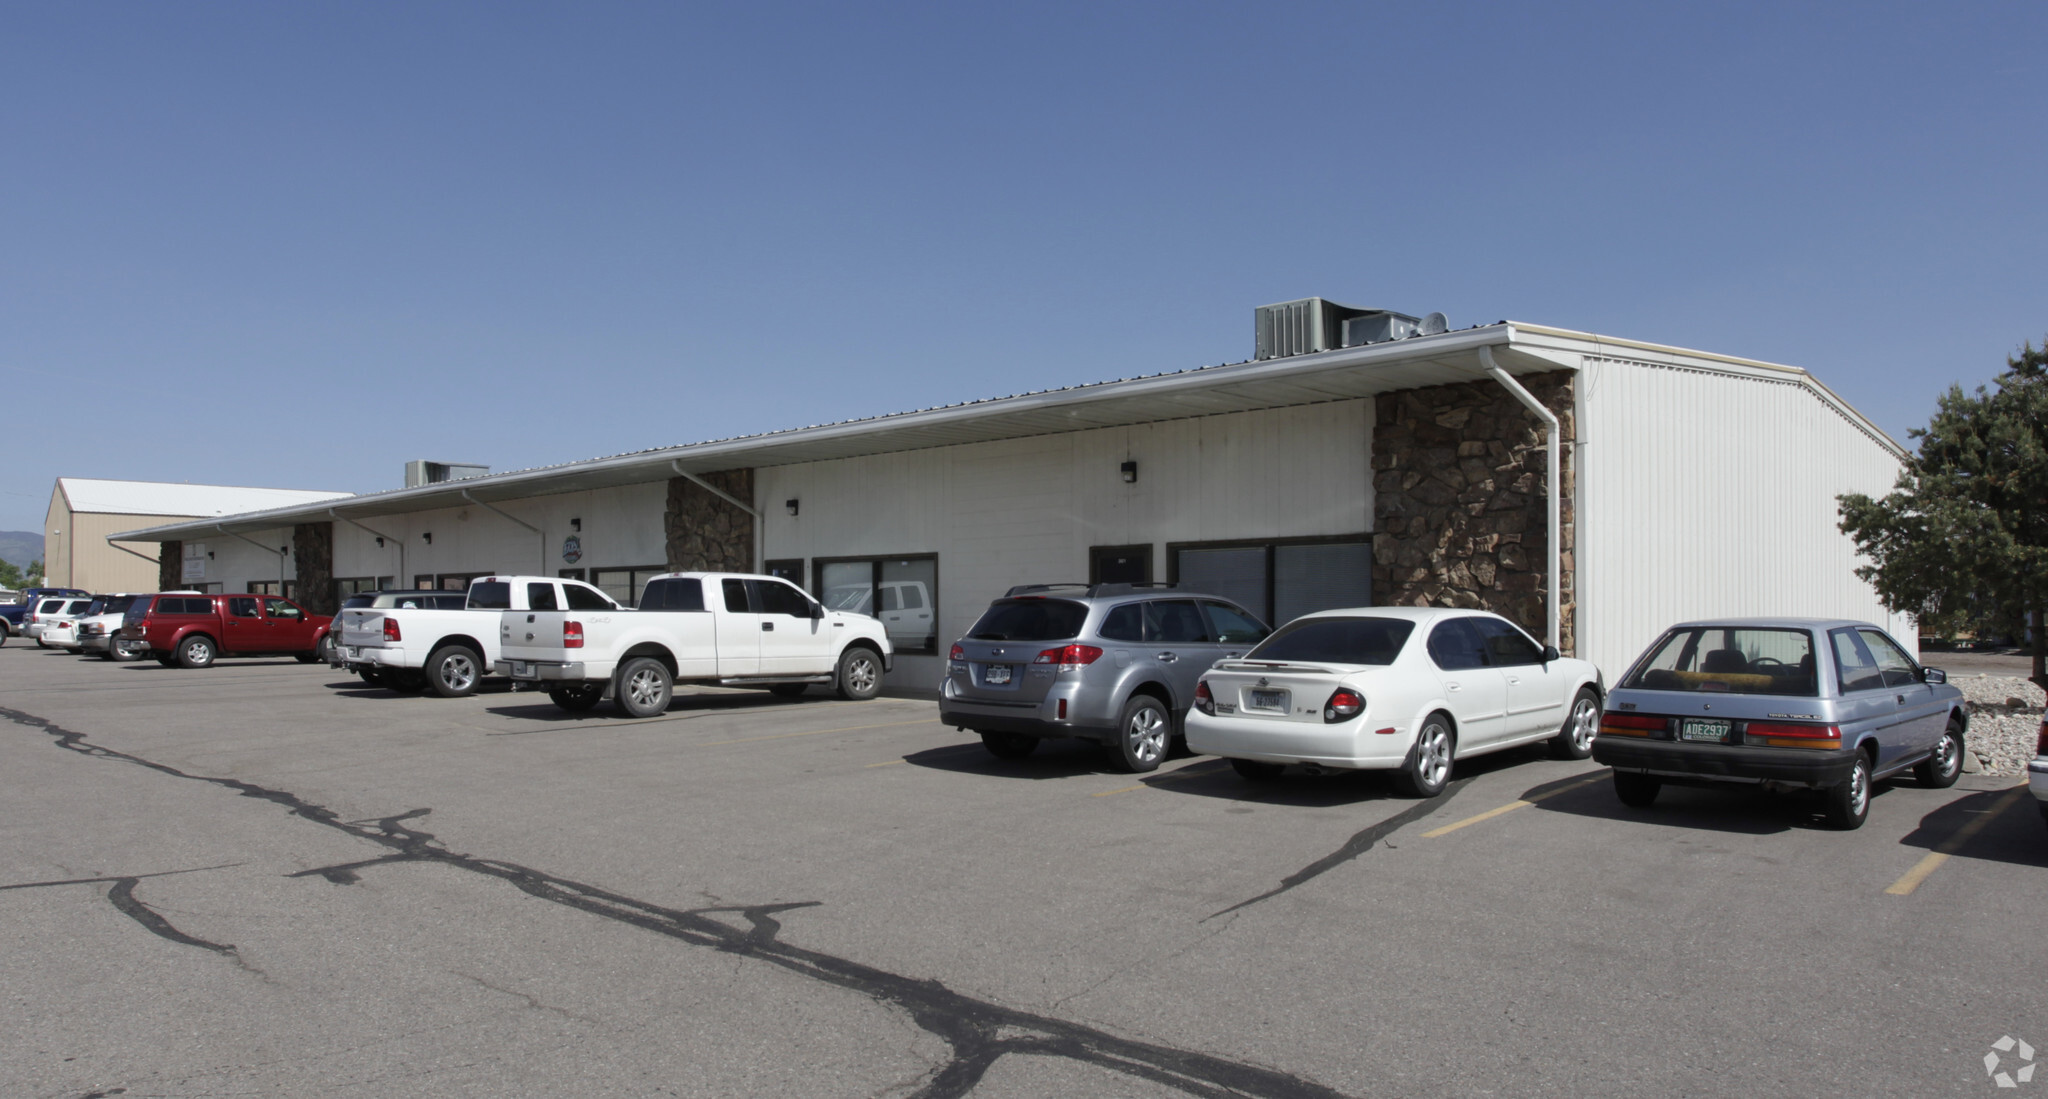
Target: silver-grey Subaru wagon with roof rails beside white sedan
{"type": "Point", "coordinates": [1111, 662]}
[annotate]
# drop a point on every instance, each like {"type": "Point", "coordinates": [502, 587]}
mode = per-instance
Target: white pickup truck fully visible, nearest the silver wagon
{"type": "Point", "coordinates": [728, 629]}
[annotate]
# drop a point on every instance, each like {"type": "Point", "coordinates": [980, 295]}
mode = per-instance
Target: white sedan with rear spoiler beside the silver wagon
{"type": "Point", "coordinates": [1394, 689]}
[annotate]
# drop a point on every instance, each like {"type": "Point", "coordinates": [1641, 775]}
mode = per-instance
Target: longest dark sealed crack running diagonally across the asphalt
{"type": "Point", "coordinates": [978, 1032]}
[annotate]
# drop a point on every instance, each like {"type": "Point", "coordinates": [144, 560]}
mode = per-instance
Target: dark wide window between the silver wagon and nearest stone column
{"type": "Point", "coordinates": [1279, 580]}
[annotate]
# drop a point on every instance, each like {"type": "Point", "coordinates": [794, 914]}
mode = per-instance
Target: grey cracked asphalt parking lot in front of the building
{"type": "Point", "coordinates": [265, 879]}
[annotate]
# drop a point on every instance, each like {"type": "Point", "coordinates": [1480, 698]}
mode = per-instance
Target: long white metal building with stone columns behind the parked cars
{"type": "Point", "coordinates": [1408, 470]}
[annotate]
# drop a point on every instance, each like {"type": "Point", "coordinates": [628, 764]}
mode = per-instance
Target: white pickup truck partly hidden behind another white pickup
{"type": "Point", "coordinates": [445, 642]}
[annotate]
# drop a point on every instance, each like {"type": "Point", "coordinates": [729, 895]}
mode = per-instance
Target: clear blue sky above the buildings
{"type": "Point", "coordinates": [298, 245]}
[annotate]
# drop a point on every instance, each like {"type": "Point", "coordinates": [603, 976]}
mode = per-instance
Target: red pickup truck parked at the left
{"type": "Point", "coordinates": [191, 631]}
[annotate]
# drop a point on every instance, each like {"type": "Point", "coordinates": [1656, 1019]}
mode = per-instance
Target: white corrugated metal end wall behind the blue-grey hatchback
{"type": "Point", "coordinates": [1713, 494]}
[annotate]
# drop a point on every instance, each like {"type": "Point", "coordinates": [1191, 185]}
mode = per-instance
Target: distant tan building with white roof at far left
{"type": "Point", "coordinates": [83, 513]}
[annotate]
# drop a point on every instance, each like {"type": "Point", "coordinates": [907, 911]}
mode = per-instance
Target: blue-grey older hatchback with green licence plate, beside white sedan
{"type": "Point", "coordinates": [1785, 703]}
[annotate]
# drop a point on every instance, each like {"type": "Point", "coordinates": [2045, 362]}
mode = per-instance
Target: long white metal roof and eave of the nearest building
{"type": "Point", "coordinates": [1340, 376]}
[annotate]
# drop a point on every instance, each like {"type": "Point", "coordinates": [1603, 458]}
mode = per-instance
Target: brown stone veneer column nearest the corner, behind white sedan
{"type": "Point", "coordinates": [1459, 500]}
